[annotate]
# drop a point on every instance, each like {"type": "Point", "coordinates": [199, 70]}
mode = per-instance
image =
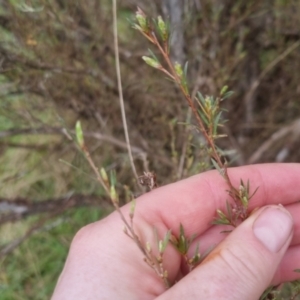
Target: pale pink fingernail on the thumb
{"type": "Point", "coordinates": [273, 227]}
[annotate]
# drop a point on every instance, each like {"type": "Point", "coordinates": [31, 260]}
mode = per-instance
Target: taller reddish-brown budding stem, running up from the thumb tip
{"type": "Point", "coordinates": [208, 131]}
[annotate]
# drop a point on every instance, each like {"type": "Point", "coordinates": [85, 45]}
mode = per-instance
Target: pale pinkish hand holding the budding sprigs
{"type": "Point", "coordinates": [103, 263]}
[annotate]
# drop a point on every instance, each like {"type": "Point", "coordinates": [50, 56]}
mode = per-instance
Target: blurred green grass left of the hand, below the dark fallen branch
{"type": "Point", "coordinates": [33, 269]}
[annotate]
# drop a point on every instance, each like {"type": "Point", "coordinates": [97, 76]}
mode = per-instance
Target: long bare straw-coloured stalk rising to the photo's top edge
{"type": "Point", "coordinates": [118, 71]}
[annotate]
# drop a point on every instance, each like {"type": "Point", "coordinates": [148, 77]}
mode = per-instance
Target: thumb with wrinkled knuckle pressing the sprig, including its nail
{"type": "Point", "coordinates": [243, 265]}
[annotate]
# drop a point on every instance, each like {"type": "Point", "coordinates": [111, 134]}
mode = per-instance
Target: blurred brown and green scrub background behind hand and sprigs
{"type": "Point", "coordinates": [57, 66]}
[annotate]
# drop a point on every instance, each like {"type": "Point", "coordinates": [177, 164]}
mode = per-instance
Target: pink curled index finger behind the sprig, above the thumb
{"type": "Point", "coordinates": [193, 202]}
